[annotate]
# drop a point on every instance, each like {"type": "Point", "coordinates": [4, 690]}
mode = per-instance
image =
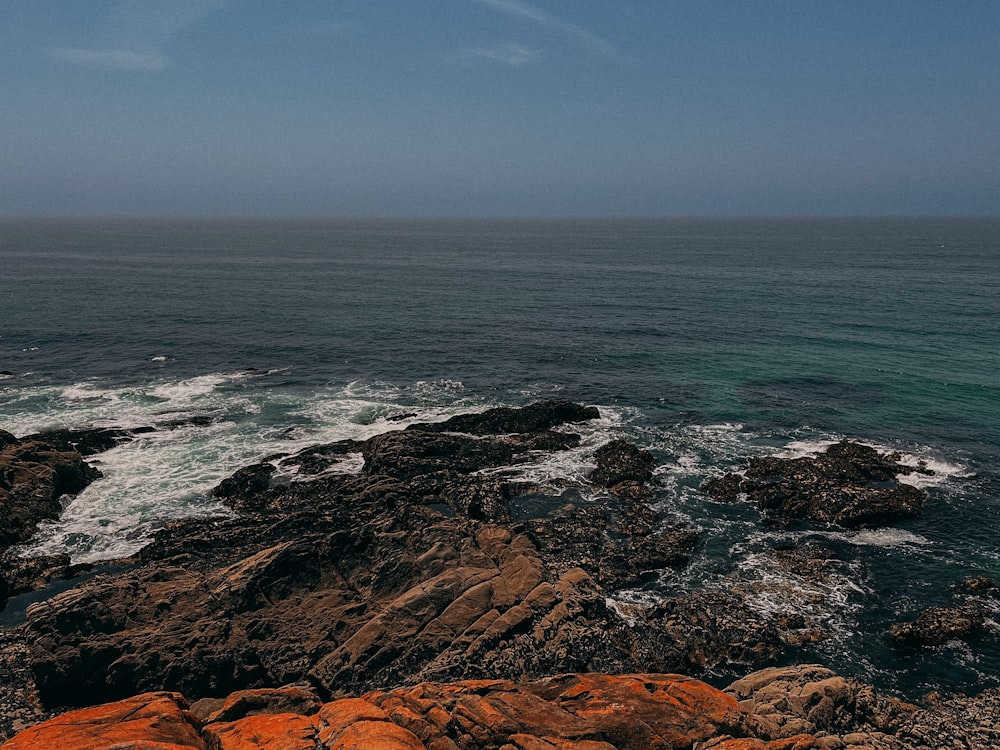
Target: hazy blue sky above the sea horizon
{"type": "Point", "coordinates": [499, 107]}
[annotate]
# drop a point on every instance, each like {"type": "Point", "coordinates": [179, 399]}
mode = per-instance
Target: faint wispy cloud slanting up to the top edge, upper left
{"type": "Point", "coordinates": [136, 33]}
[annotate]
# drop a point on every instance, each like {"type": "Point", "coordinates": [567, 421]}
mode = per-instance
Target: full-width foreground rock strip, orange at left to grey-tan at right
{"type": "Point", "coordinates": [804, 707]}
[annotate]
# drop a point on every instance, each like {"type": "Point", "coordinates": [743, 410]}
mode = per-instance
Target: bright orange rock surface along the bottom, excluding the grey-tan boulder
{"type": "Point", "coordinates": [567, 712]}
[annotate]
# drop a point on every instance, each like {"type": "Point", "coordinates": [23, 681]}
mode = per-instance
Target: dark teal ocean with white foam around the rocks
{"type": "Point", "coordinates": [706, 341]}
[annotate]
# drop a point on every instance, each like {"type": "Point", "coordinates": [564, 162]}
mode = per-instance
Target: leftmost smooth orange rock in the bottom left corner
{"type": "Point", "coordinates": [151, 721]}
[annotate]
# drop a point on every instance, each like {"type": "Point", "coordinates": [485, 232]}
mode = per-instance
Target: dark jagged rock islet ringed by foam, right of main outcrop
{"type": "Point", "coordinates": [849, 484]}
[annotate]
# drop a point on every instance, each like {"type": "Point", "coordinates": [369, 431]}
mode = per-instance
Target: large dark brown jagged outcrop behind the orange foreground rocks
{"type": "Point", "coordinates": [414, 569]}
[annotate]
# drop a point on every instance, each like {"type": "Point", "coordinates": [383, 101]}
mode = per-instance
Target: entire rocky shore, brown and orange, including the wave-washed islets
{"type": "Point", "coordinates": [431, 601]}
